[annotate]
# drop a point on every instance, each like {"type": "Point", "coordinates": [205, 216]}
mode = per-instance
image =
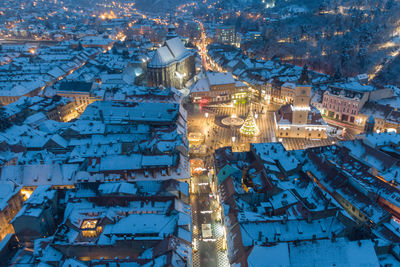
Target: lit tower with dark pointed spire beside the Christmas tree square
{"type": "Point", "coordinates": [302, 97]}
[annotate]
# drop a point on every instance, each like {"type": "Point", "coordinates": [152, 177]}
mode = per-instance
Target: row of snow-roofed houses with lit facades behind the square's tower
{"type": "Point", "coordinates": [344, 102]}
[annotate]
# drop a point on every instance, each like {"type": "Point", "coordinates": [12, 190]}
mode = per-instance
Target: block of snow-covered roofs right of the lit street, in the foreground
{"type": "Point", "coordinates": [277, 202]}
